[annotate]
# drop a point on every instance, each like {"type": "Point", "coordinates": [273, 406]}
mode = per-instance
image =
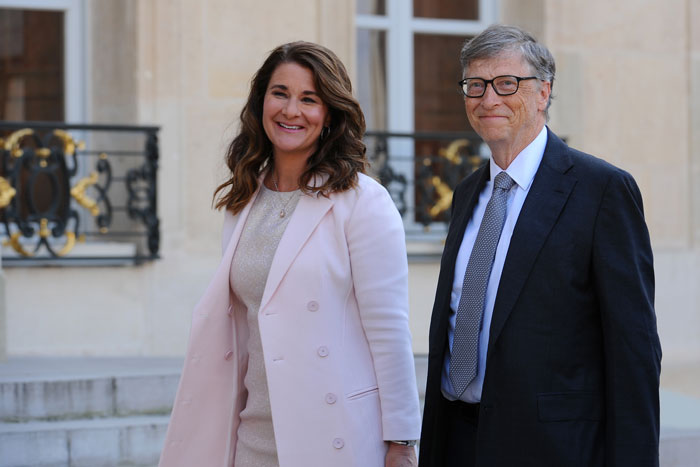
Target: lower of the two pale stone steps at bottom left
{"type": "Point", "coordinates": [109, 442]}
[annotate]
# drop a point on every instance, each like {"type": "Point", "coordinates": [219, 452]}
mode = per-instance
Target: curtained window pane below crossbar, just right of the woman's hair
{"type": "Point", "coordinates": [371, 77]}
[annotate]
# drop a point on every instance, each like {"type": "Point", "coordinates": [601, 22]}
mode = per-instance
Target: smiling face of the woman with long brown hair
{"type": "Point", "coordinates": [293, 114]}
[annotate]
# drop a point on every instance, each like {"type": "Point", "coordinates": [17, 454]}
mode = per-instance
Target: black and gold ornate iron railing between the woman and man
{"type": "Point", "coordinates": [421, 170]}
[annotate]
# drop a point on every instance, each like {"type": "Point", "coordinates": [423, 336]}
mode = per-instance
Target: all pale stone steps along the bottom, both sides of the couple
{"type": "Point", "coordinates": [49, 396]}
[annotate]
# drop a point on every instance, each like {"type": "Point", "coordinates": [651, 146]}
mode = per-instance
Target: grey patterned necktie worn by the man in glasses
{"type": "Point", "coordinates": [465, 345]}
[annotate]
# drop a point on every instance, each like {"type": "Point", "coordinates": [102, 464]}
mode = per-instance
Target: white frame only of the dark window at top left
{"type": "Point", "coordinates": [74, 50]}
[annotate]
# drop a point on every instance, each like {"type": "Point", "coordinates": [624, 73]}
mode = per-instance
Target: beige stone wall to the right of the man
{"type": "Point", "coordinates": [628, 91]}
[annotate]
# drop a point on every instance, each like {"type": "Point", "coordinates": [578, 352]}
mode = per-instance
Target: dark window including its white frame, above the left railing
{"type": "Point", "coordinates": [42, 63]}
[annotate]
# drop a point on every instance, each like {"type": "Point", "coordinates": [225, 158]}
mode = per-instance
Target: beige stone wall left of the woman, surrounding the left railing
{"type": "Point", "coordinates": [185, 66]}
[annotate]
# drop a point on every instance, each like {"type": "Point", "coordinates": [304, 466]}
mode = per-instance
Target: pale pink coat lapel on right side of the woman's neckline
{"type": "Point", "coordinates": [308, 213]}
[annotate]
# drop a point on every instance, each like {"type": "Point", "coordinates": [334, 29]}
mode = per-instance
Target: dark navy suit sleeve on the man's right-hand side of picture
{"type": "Point", "coordinates": [624, 279]}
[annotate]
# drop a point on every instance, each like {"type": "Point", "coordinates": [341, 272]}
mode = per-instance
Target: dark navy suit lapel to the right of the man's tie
{"type": "Point", "coordinates": [548, 195]}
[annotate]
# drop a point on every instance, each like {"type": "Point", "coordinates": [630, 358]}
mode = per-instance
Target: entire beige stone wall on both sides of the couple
{"type": "Point", "coordinates": [627, 90]}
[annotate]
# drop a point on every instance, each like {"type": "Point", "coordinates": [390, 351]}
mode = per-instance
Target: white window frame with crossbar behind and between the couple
{"type": "Point", "coordinates": [400, 27]}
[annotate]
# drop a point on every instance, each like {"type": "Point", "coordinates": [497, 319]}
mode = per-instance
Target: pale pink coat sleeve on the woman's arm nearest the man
{"type": "Point", "coordinates": [379, 266]}
